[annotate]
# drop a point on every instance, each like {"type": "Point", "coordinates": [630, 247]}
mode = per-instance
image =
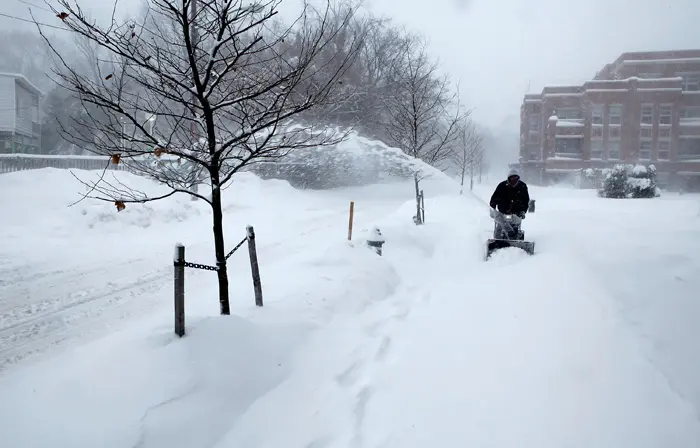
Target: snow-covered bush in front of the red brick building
{"type": "Point", "coordinates": [630, 181]}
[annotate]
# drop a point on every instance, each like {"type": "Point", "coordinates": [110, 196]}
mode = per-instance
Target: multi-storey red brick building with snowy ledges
{"type": "Point", "coordinates": [644, 107]}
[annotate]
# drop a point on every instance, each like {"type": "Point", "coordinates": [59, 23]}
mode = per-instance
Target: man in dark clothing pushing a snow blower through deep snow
{"type": "Point", "coordinates": [509, 203]}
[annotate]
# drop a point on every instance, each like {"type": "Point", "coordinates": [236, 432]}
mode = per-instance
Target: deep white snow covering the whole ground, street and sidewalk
{"type": "Point", "coordinates": [589, 343]}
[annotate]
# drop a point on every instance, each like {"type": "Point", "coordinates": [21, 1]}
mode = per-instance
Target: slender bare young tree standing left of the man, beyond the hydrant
{"type": "Point", "coordinates": [422, 111]}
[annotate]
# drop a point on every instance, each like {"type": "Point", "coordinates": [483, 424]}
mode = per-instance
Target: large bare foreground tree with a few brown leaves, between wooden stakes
{"type": "Point", "coordinates": [202, 89]}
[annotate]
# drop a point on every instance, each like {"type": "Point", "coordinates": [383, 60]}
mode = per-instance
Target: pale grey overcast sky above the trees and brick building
{"type": "Point", "coordinates": [495, 48]}
